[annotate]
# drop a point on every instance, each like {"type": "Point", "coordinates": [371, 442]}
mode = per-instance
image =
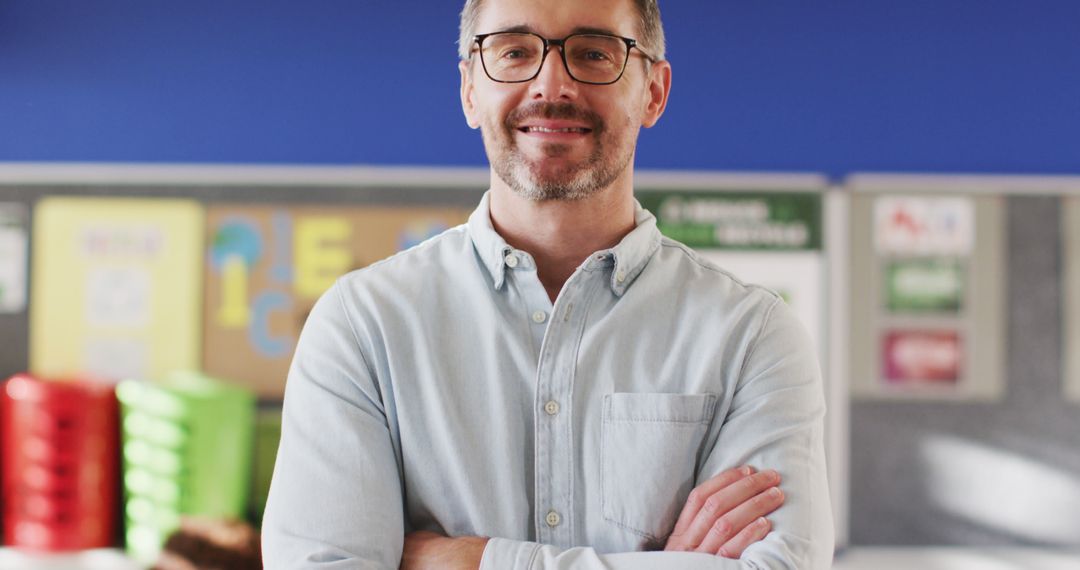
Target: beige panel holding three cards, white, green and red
{"type": "Point", "coordinates": [928, 297]}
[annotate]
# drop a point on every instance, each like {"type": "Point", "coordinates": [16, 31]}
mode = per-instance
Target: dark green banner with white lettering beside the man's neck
{"type": "Point", "coordinates": [739, 221]}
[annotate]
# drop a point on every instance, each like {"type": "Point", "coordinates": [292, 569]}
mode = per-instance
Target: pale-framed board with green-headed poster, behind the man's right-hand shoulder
{"type": "Point", "coordinates": [779, 232]}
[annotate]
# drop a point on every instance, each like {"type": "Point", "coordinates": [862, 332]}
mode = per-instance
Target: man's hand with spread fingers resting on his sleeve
{"type": "Point", "coordinates": [726, 514]}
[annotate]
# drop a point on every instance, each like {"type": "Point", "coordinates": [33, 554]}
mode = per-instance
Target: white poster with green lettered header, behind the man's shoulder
{"type": "Point", "coordinates": [768, 239]}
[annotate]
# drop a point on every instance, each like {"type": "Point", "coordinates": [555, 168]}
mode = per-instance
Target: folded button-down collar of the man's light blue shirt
{"type": "Point", "coordinates": [629, 257]}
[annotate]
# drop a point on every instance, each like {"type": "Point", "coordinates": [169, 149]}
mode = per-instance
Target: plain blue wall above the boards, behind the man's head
{"type": "Point", "coordinates": [833, 86]}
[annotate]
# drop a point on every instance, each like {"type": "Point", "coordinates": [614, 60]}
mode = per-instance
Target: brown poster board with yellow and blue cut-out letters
{"type": "Point", "coordinates": [267, 266]}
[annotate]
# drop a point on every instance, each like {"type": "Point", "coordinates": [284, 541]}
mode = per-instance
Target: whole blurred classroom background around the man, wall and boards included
{"type": "Point", "coordinates": [180, 182]}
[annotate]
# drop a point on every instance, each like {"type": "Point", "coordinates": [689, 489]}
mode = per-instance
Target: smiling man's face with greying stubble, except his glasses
{"type": "Point", "coordinates": [598, 126]}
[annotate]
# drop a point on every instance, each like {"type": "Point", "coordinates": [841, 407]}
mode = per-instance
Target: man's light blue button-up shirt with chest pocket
{"type": "Point", "coordinates": [442, 390]}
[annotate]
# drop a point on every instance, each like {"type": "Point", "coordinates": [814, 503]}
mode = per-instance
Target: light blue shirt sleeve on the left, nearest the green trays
{"type": "Point", "coordinates": [336, 497]}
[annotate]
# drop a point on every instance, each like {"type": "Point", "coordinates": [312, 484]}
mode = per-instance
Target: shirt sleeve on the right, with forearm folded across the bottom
{"type": "Point", "coordinates": [775, 422]}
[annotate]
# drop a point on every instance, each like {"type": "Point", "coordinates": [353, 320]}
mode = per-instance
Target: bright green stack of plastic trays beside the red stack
{"type": "Point", "coordinates": [187, 451]}
